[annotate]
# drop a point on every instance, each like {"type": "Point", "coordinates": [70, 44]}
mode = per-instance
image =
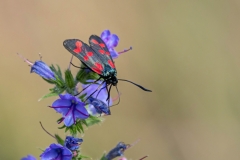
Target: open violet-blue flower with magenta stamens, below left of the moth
{"type": "Point", "coordinates": [71, 109]}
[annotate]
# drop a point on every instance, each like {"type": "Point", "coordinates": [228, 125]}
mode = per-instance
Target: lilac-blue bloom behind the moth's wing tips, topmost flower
{"type": "Point", "coordinates": [111, 41]}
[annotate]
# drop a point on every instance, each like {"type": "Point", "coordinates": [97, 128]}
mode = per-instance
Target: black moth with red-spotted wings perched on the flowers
{"type": "Point", "coordinates": [97, 58]}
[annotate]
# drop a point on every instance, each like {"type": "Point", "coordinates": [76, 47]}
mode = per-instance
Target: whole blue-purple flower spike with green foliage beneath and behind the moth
{"type": "Point", "coordinates": [78, 109]}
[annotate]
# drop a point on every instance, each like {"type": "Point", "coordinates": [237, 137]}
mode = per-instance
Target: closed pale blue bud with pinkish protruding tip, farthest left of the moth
{"type": "Point", "coordinates": [40, 68]}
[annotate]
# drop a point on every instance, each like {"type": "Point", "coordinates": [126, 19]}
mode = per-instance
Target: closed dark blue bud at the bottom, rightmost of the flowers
{"type": "Point", "coordinates": [117, 151]}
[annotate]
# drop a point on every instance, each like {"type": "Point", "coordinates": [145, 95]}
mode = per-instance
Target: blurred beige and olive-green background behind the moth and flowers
{"type": "Point", "coordinates": [186, 51]}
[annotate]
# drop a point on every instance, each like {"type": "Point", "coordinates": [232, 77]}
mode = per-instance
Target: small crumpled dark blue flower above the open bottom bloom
{"type": "Point", "coordinates": [72, 143]}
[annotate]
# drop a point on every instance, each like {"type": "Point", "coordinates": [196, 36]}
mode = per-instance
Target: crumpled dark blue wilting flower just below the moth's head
{"type": "Point", "coordinates": [97, 106]}
